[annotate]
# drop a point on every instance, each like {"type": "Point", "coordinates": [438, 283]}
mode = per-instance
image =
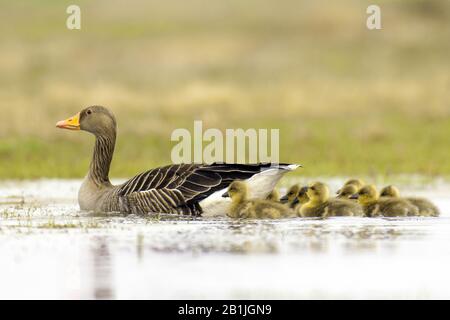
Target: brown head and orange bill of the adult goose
{"type": "Point", "coordinates": [95, 119]}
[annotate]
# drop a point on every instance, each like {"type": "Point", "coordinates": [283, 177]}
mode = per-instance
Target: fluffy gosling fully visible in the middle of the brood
{"type": "Point", "coordinates": [320, 205]}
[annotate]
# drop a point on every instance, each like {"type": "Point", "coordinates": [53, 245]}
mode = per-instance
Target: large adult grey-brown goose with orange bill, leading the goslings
{"type": "Point", "coordinates": [191, 189]}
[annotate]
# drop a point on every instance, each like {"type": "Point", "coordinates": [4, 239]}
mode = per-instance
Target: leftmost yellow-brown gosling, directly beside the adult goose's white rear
{"type": "Point", "coordinates": [242, 207]}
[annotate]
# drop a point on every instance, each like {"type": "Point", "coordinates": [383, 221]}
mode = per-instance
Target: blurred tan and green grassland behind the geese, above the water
{"type": "Point", "coordinates": [347, 100]}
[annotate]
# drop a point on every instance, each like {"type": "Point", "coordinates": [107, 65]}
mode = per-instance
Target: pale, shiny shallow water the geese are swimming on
{"type": "Point", "coordinates": [49, 249]}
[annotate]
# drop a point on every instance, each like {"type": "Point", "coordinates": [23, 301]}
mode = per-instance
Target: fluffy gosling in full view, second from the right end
{"type": "Point", "coordinates": [374, 206]}
